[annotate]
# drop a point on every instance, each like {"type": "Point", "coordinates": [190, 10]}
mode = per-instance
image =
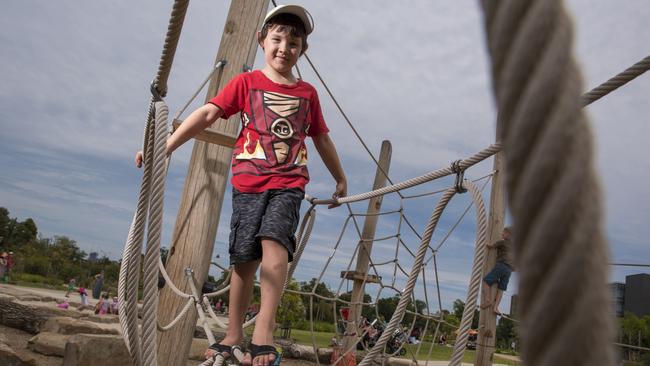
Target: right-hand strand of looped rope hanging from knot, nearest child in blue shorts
{"type": "Point", "coordinates": [475, 281]}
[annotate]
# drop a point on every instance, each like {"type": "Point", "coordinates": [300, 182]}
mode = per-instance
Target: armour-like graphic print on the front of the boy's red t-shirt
{"type": "Point", "coordinates": [273, 134]}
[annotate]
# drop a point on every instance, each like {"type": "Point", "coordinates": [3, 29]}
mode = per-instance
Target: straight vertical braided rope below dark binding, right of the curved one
{"type": "Point", "coordinates": [152, 255]}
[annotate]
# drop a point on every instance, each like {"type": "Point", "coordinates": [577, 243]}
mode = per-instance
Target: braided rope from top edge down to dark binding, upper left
{"type": "Point", "coordinates": [169, 48]}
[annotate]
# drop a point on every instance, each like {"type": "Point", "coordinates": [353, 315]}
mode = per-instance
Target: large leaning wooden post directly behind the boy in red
{"type": "Point", "coordinates": [200, 208]}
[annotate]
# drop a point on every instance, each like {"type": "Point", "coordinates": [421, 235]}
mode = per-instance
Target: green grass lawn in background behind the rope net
{"type": "Point", "coordinates": [438, 353]}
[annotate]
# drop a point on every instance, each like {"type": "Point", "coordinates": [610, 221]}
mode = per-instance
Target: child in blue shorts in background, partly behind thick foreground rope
{"type": "Point", "coordinates": [500, 274]}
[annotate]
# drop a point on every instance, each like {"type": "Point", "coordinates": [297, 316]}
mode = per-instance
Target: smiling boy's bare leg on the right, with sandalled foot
{"type": "Point", "coordinates": [272, 276]}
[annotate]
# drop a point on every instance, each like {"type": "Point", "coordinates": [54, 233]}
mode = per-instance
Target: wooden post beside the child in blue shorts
{"type": "Point", "coordinates": [487, 319]}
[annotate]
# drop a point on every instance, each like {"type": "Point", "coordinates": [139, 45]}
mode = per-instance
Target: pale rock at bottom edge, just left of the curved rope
{"type": "Point", "coordinates": [96, 350]}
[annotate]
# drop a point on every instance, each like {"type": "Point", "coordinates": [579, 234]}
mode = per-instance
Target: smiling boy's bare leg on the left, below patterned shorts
{"type": "Point", "coordinates": [241, 291]}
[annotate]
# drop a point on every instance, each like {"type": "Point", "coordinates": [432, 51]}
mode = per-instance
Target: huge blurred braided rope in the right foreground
{"type": "Point", "coordinates": [552, 189]}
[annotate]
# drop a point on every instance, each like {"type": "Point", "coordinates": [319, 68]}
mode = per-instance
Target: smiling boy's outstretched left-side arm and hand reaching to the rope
{"type": "Point", "coordinates": [196, 122]}
